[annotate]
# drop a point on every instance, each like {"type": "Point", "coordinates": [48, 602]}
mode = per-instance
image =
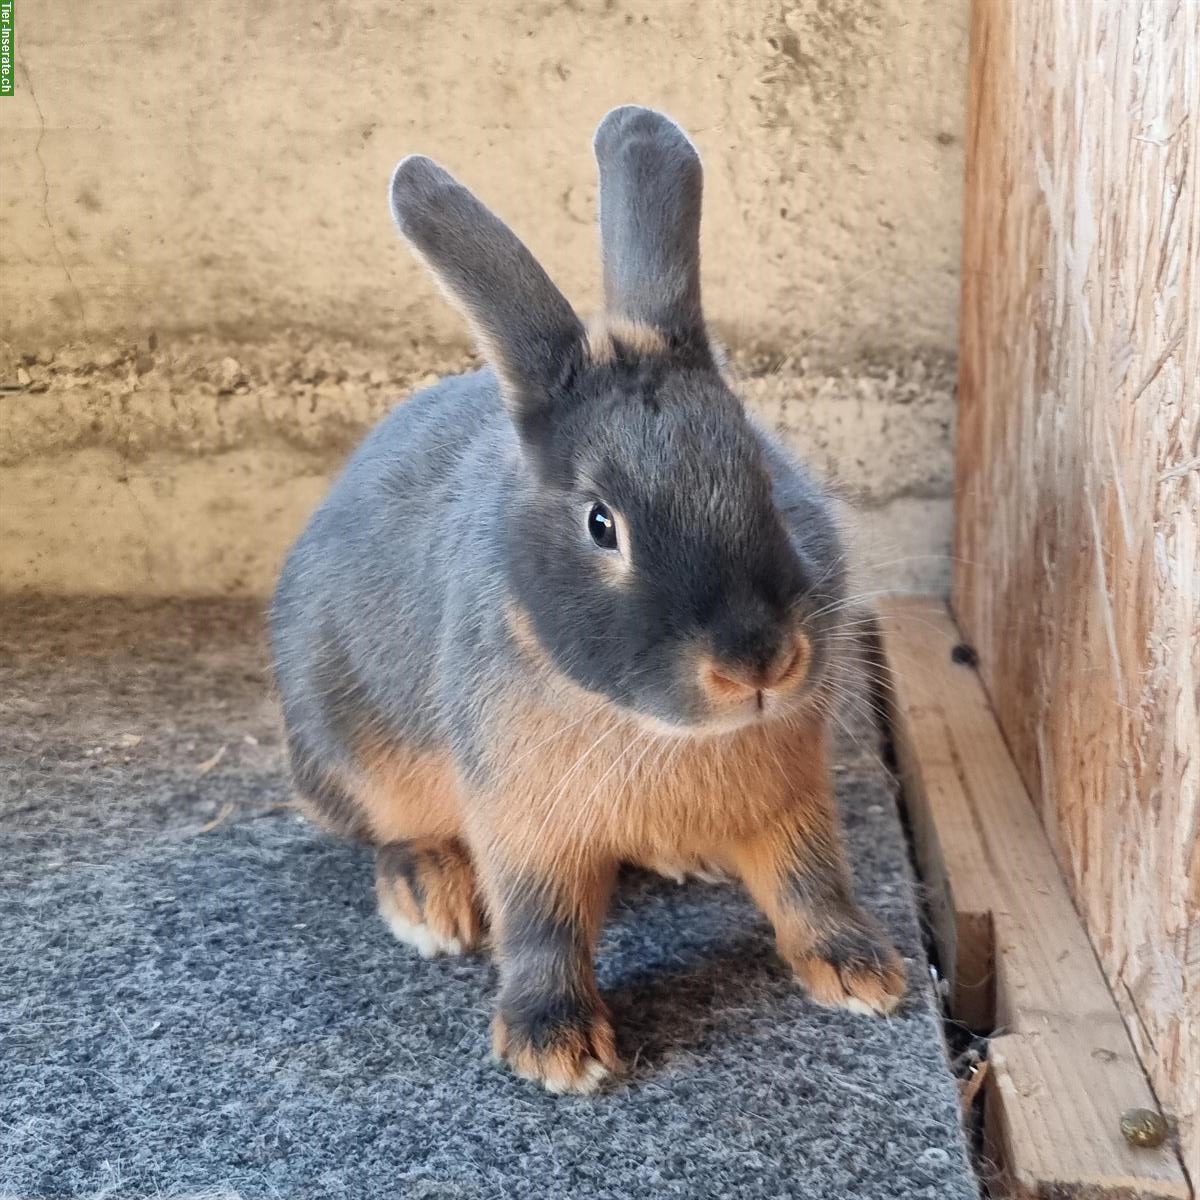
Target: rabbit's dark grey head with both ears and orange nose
{"type": "Point", "coordinates": [650, 553]}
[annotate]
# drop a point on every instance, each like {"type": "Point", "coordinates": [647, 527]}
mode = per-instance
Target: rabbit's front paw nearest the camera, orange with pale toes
{"type": "Point", "coordinates": [565, 1053]}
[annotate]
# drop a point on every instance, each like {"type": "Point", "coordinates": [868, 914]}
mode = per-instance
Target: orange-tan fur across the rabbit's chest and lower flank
{"type": "Point", "coordinates": [571, 779]}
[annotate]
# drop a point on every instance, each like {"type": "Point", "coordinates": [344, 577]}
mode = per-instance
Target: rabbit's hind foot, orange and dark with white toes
{"type": "Point", "coordinates": [428, 896]}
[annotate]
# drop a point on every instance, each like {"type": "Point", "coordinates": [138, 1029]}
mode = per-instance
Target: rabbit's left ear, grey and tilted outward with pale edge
{"type": "Point", "coordinates": [525, 326]}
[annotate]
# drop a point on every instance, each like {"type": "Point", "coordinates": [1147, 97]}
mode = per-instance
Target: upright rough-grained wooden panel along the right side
{"type": "Point", "coordinates": [1078, 573]}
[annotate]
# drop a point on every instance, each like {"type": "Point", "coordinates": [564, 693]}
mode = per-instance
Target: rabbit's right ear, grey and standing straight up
{"type": "Point", "coordinates": [651, 185]}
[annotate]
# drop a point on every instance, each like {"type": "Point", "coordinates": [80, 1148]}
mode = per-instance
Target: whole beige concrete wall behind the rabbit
{"type": "Point", "coordinates": [205, 303]}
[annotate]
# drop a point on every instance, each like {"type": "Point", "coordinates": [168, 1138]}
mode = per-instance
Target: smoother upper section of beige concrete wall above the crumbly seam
{"type": "Point", "coordinates": [226, 165]}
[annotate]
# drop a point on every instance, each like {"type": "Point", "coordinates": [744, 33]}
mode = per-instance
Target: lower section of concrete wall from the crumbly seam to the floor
{"type": "Point", "coordinates": [185, 470]}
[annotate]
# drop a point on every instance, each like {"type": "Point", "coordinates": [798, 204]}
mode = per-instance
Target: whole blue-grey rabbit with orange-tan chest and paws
{"type": "Point", "coordinates": [573, 611]}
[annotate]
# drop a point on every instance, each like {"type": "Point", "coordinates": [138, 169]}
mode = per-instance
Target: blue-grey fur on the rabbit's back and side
{"type": "Point", "coordinates": [358, 621]}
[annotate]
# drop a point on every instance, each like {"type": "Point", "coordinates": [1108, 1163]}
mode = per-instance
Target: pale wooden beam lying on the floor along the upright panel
{"type": "Point", "coordinates": [1063, 1066]}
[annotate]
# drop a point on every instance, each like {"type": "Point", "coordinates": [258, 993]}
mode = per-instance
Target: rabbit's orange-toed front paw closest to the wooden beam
{"type": "Point", "coordinates": [854, 967]}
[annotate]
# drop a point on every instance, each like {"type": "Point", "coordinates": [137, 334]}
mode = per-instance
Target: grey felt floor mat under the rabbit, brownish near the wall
{"type": "Point", "coordinates": [197, 997]}
